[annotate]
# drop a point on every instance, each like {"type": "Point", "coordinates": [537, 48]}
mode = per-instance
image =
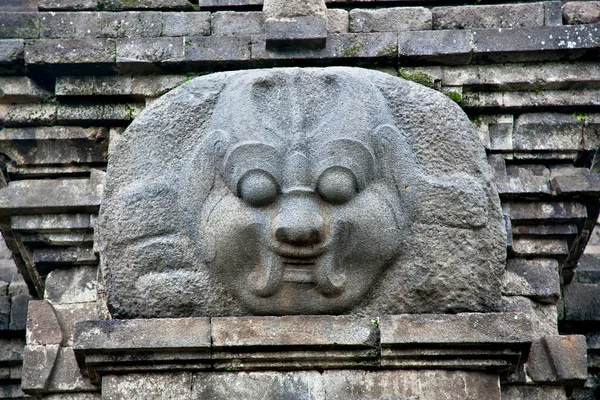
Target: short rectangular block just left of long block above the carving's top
{"type": "Point", "coordinates": [217, 48]}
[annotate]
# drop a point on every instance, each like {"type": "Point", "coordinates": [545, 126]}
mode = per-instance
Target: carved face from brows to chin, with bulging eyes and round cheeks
{"type": "Point", "coordinates": [303, 228]}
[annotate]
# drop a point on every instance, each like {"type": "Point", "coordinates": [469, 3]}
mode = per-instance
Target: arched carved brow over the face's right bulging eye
{"type": "Point", "coordinates": [349, 153]}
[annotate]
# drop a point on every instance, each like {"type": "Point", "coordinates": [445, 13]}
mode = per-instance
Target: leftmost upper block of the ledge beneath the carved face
{"type": "Point", "coordinates": [145, 335]}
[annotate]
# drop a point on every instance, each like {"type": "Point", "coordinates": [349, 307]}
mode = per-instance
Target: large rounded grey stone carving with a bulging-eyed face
{"type": "Point", "coordinates": [300, 191]}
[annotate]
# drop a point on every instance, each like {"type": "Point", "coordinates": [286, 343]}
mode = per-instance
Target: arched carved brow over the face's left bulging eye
{"type": "Point", "coordinates": [244, 156]}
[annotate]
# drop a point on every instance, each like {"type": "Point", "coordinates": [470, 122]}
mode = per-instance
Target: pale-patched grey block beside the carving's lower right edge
{"type": "Point", "coordinates": [538, 279]}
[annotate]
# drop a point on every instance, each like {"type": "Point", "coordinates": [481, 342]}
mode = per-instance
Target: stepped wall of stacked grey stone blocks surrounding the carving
{"type": "Point", "coordinates": [75, 73]}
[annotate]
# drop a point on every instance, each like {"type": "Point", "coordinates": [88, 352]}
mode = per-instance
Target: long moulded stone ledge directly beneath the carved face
{"type": "Point", "coordinates": [491, 342]}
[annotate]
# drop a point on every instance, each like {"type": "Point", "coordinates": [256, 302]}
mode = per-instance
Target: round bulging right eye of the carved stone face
{"type": "Point", "coordinates": [337, 185]}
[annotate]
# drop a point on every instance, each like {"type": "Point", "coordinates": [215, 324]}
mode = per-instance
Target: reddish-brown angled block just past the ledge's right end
{"type": "Point", "coordinates": [558, 360]}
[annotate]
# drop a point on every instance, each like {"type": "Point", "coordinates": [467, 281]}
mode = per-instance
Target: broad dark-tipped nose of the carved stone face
{"type": "Point", "coordinates": [299, 222]}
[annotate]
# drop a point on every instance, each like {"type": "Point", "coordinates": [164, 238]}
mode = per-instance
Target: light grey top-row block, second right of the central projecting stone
{"type": "Point", "coordinates": [390, 19]}
